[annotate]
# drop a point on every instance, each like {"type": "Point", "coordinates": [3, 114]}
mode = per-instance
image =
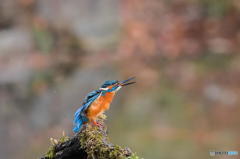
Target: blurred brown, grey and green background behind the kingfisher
{"type": "Point", "coordinates": [184, 53]}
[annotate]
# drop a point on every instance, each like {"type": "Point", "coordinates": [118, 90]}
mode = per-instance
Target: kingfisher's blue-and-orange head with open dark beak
{"type": "Point", "coordinates": [114, 85]}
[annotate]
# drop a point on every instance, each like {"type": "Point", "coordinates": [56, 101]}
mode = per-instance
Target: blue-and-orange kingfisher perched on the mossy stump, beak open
{"type": "Point", "coordinates": [97, 102]}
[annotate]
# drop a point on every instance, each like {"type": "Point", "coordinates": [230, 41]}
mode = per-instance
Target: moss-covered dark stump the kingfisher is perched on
{"type": "Point", "coordinates": [91, 143]}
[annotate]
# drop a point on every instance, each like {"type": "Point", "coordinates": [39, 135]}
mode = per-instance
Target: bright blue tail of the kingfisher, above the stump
{"type": "Point", "coordinates": [79, 119]}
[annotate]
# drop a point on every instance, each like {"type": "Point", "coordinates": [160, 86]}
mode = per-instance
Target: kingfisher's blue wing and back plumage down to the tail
{"type": "Point", "coordinates": [80, 116]}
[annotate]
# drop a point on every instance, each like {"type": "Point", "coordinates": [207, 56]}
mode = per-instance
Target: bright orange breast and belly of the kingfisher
{"type": "Point", "coordinates": [100, 105]}
